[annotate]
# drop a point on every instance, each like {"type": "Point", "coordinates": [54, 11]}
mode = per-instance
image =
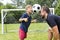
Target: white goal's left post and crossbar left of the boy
{"type": "Point", "coordinates": [3, 16]}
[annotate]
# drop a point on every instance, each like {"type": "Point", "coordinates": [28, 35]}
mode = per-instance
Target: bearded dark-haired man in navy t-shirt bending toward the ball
{"type": "Point", "coordinates": [53, 21]}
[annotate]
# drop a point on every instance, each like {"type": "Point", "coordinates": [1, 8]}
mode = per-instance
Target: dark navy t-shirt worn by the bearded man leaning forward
{"type": "Point", "coordinates": [53, 20]}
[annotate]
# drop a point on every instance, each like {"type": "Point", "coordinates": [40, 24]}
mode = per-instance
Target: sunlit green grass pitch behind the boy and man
{"type": "Point", "coordinates": [37, 31]}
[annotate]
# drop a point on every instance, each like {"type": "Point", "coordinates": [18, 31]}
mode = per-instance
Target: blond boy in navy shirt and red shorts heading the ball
{"type": "Point", "coordinates": [25, 22]}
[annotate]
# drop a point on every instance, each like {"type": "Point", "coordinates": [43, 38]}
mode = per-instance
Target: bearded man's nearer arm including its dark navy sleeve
{"type": "Point", "coordinates": [53, 25]}
